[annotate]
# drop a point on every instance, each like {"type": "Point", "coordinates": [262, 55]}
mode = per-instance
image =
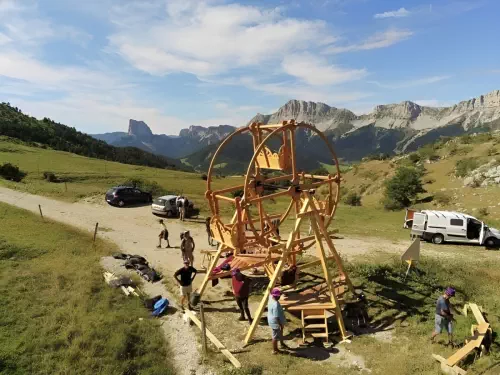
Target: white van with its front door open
{"type": "Point", "coordinates": [448, 226]}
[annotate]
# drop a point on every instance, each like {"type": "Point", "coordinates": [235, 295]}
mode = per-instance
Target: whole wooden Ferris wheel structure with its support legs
{"type": "Point", "coordinates": [252, 233]}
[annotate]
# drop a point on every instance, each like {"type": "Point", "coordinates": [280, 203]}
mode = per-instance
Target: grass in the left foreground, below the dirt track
{"type": "Point", "coordinates": [57, 315]}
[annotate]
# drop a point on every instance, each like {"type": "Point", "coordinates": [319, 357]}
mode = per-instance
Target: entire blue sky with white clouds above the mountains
{"type": "Point", "coordinates": [94, 64]}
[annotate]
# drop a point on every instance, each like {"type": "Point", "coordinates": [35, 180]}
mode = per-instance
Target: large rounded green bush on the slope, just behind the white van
{"type": "Point", "coordinates": [403, 188]}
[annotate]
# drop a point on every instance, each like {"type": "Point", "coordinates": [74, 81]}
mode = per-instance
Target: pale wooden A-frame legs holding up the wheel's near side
{"type": "Point", "coordinates": [308, 210]}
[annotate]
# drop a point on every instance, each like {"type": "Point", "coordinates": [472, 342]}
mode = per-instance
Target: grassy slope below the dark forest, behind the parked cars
{"type": "Point", "coordinates": [88, 177]}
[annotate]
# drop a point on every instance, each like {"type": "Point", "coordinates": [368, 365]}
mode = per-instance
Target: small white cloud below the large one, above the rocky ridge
{"type": "Point", "coordinates": [317, 72]}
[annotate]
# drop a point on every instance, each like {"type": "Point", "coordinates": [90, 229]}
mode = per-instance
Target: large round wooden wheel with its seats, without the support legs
{"type": "Point", "coordinates": [270, 175]}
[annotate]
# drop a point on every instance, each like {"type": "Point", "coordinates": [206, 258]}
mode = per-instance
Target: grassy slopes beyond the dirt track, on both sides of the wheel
{"type": "Point", "coordinates": [92, 177]}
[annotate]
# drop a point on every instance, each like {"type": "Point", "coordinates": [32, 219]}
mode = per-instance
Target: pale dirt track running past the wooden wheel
{"type": "Point", "coordinates": [135, 230]}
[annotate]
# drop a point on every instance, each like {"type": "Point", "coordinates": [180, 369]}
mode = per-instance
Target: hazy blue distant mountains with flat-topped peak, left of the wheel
{"type": "Point", "coordinates": [187, 142]}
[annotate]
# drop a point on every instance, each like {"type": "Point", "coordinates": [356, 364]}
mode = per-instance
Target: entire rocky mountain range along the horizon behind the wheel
{"type": "Point", "coordinates": [388, 129]}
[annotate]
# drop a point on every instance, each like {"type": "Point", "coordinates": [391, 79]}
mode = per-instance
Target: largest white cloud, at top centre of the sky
{"type": "Point", "coordinates": [204, 39]}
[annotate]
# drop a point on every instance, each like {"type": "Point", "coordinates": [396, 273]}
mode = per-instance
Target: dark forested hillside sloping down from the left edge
{"type": "Point", "coordinates": [14, 123]}
